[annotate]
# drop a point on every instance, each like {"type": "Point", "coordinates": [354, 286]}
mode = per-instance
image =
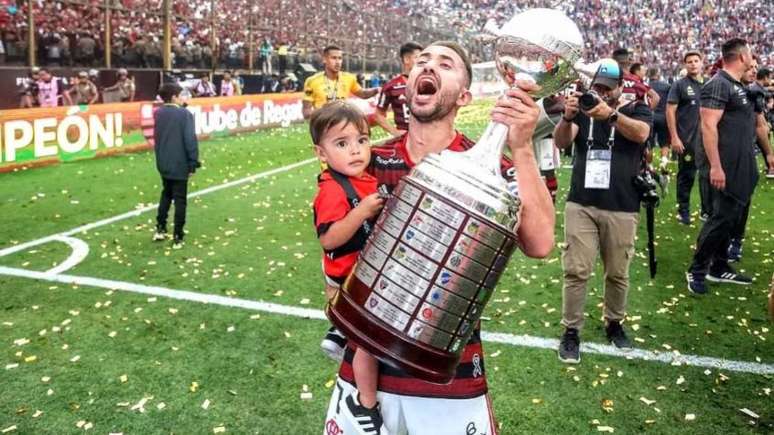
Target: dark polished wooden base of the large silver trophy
{"type": "Point", "coordinates": [346, 312]}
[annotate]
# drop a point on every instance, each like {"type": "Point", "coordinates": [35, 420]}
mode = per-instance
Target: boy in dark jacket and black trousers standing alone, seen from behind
{"type": "Point", "coordinates": [177, 157]}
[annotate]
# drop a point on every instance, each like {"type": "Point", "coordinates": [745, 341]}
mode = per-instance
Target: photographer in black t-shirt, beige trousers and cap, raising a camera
{"type": "Point", "coordinates": [602, 208]}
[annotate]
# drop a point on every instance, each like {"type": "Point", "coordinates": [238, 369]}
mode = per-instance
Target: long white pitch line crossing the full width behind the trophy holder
{"type": "Point", "coordinates": [509, 339]}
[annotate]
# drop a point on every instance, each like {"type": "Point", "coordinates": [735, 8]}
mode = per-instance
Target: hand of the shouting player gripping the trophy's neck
{"type": "Point", "coordinates": [520, 113]}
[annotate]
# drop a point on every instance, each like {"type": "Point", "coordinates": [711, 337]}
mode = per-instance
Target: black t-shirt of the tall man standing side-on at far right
{"type": "Point", "coordinates": [735, 131]}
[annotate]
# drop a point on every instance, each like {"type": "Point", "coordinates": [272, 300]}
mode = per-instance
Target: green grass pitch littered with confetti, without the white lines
{"type": "Point", "coordinates": [88, 357]}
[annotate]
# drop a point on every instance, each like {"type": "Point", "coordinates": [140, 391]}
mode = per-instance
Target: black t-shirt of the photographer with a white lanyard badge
{"type": "Point", "coordinates": [624, 165]}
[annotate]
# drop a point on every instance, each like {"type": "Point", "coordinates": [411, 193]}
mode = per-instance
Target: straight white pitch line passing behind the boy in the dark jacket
{"type": "Point", "coordinates": [130, 214]}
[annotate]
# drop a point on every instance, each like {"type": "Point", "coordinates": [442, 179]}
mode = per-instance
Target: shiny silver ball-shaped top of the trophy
{"type": "Point", "coordinates": [539, 46]}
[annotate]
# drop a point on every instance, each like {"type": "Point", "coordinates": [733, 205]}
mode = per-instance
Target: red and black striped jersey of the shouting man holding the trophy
{"type": "Point", "coordinates": [389, 163]}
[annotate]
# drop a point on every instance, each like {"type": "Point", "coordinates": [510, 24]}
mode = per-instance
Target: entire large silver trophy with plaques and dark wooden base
{"type": "Point", "coordinates": [445, 237]}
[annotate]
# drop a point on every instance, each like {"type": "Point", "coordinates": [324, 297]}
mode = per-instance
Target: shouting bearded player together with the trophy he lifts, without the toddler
{"type": "Point", "coordinates": [425, 283]}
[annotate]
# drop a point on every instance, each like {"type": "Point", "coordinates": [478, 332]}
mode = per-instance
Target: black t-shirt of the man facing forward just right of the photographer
{"type": "Point", "coordinates": [686, 93]}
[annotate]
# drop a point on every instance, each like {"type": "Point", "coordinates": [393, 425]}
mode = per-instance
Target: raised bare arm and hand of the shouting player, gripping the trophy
{"type": "Point", "coordinates": [520, 113]}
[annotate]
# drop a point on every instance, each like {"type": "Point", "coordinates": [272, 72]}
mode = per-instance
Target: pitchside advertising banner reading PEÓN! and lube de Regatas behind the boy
{"type": "Point", "coordinates": [43, 136]}
